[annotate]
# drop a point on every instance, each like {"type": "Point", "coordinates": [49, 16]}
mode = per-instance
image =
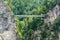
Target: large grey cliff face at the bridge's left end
{"type": "Point", "coordinates": [7, 23]}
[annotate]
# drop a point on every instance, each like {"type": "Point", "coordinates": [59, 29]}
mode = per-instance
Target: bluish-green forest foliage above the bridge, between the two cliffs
{"type": "Point", "coordinates": [35, 7]}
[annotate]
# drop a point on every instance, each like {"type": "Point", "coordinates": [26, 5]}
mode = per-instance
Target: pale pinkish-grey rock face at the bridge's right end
{"type": "Point", "coordinates": [53, 14]}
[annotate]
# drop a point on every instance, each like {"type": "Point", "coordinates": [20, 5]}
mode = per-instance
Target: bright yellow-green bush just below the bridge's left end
{"type": "Point", "coordinates": [20, 27]}
